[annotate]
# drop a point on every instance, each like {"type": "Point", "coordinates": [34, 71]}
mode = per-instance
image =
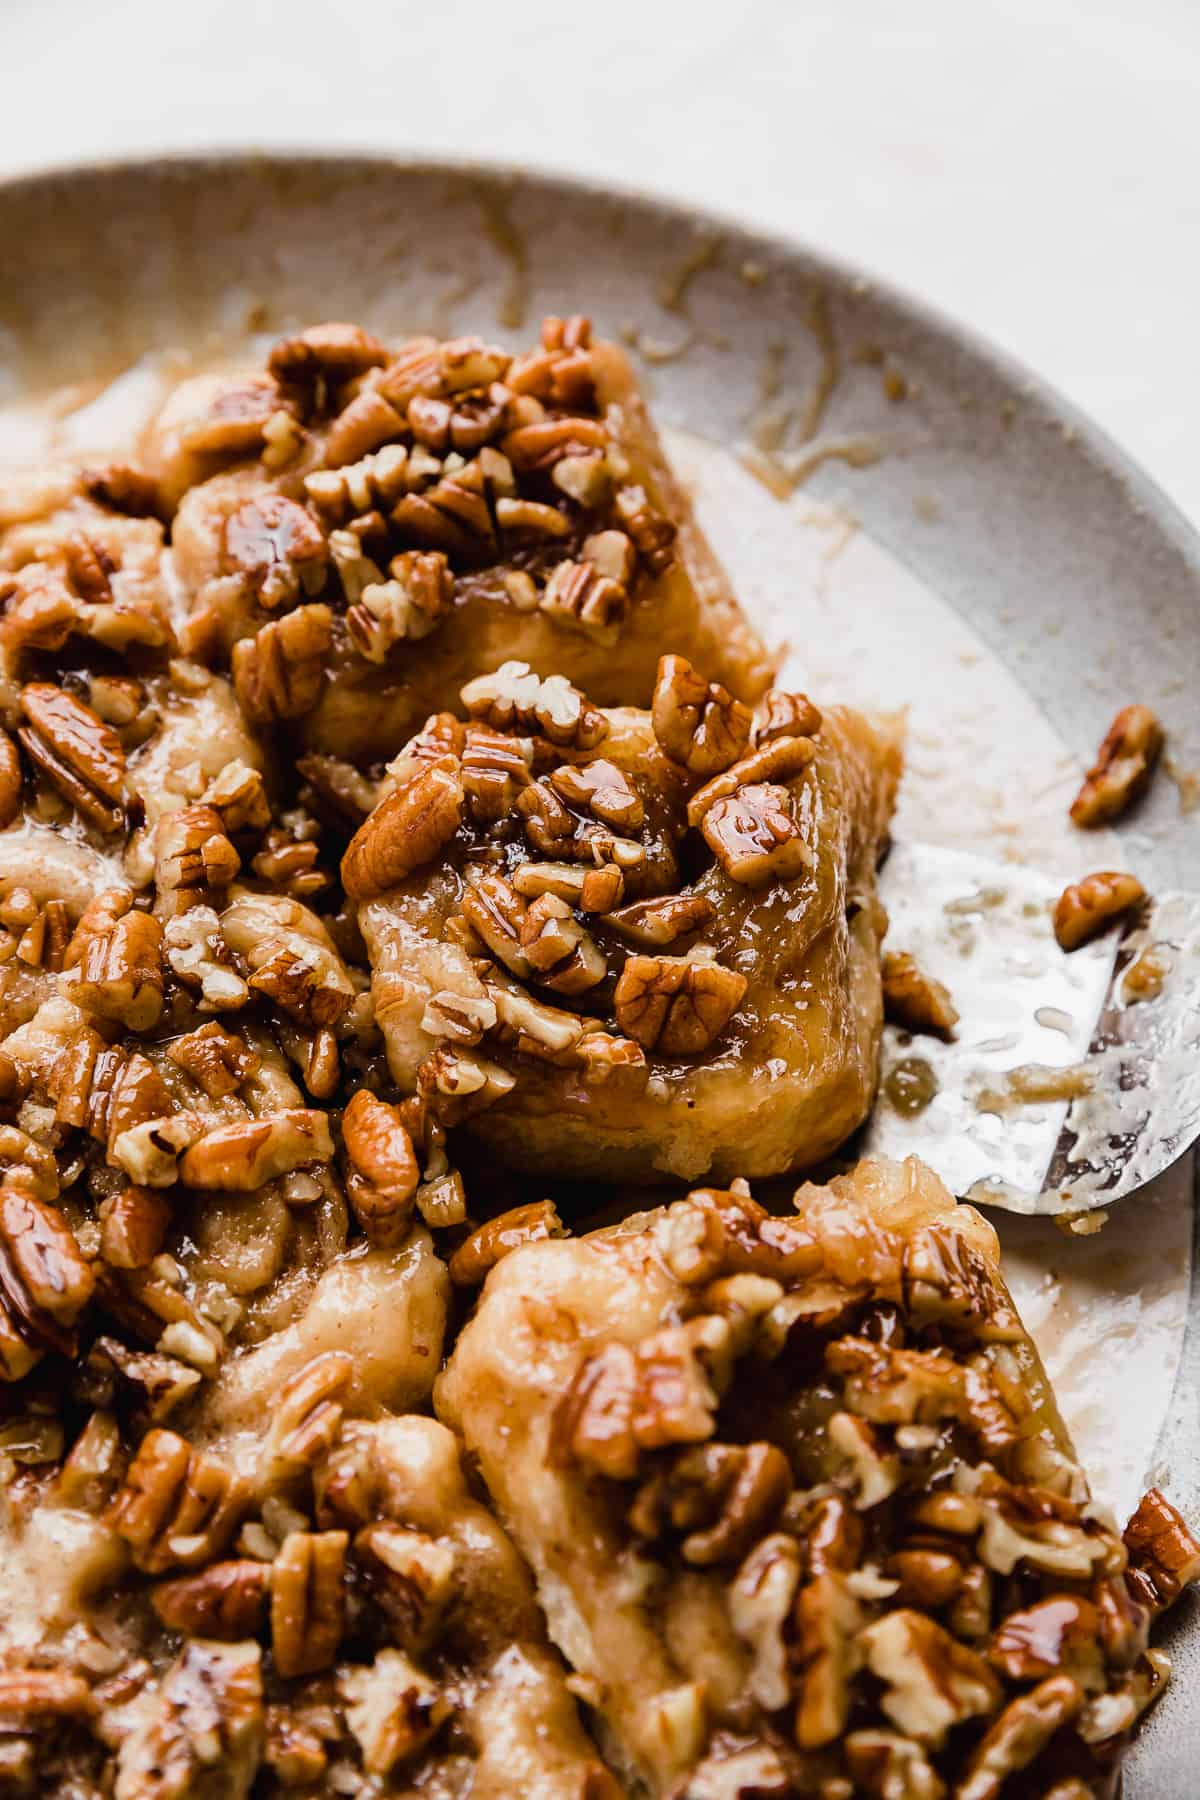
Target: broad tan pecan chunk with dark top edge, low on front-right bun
{"type": "Point", "coordinates": [931, 1682]}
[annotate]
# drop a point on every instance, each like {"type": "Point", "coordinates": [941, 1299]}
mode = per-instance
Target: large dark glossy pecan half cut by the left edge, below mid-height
{"type": "Point", "coordinates": [44, 1281]}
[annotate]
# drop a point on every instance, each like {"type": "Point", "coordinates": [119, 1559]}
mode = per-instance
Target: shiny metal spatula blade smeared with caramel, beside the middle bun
{"type": "Point", "coordinates": [1061, 1092]}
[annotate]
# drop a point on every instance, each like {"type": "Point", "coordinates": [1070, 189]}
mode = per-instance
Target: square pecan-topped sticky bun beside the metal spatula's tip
{"type": "Point", "coordinates": [710, 1003]}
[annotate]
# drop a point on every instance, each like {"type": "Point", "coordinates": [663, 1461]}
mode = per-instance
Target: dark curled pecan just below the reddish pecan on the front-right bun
{"type": "Point", "coordinates": [724, 1497]}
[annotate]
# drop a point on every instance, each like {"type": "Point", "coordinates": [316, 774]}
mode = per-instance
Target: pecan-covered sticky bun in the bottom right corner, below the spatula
{"type": "Point", "coordinates": [803, 1513]}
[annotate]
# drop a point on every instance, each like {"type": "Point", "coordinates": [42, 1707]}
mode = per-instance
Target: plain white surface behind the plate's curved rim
{"type": "Point", "coordinates": [1032, 166]}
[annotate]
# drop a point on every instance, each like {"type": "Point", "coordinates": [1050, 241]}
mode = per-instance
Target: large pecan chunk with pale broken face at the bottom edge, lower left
{"type": "Point", "coordinates": [204, 1718]}
